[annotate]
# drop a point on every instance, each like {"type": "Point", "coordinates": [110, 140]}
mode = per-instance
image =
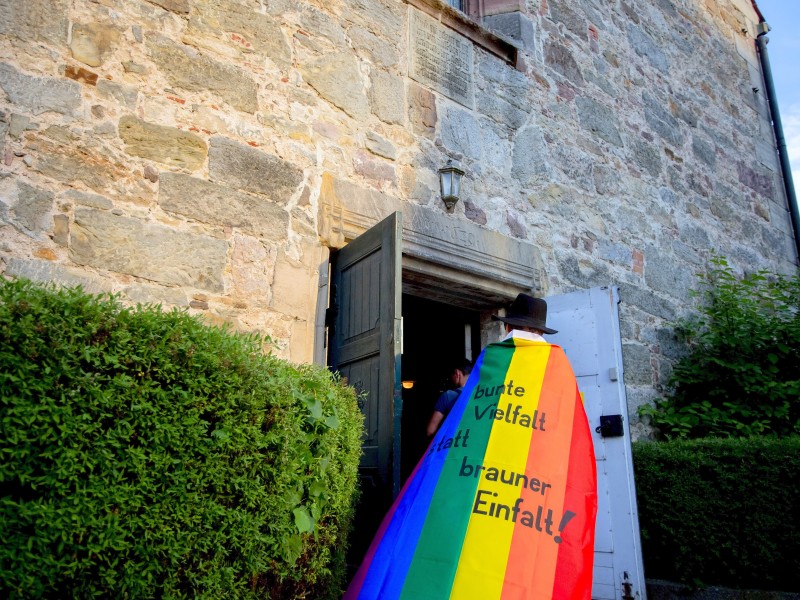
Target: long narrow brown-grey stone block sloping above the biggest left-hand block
{"type": "Point", "coordinates": [217, 205]}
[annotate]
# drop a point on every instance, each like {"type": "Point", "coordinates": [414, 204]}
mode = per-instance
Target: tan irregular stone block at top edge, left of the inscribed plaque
{"type": "Point", "coordinates": [240, 26]}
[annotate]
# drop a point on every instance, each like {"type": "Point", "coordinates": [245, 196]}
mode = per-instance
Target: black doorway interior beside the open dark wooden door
{"type": "Point", "coordinates": [436, 336]}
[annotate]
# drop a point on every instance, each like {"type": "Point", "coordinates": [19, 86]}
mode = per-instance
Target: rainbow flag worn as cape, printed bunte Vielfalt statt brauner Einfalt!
{"type": "Point", "coordinates": [503, 503]}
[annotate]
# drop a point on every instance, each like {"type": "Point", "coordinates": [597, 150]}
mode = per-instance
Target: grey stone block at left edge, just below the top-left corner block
{"type": "Point", "coordinates": [40, 94]}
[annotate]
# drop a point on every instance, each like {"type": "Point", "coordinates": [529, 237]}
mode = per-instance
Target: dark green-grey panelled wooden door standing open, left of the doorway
{"type": "Point", "coordinates": [364, 345]}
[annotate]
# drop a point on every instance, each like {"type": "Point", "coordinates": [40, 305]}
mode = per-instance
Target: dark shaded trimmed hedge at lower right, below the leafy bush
{"type": "Point", "coordinates": [721, 511]}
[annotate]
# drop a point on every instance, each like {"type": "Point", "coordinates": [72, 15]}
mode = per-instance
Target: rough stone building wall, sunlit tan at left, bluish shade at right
{"type": "Point", "coordinates": [210, 154]}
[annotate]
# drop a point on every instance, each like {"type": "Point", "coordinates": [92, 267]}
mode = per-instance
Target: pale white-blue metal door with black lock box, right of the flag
{"type": "Point", "coordinates": [588, 329]}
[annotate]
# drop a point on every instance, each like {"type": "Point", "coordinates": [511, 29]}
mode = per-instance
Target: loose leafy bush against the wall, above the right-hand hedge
{"type": "Point", "coordinates": [741, 376]}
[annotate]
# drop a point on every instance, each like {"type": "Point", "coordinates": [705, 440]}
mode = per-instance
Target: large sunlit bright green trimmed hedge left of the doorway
{"type": "Point", "coordinates": [144, 454]}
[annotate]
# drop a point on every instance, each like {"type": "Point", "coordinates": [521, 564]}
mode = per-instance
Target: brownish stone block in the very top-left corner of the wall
{"type": "Point", "coordinates": [35, 20]}
